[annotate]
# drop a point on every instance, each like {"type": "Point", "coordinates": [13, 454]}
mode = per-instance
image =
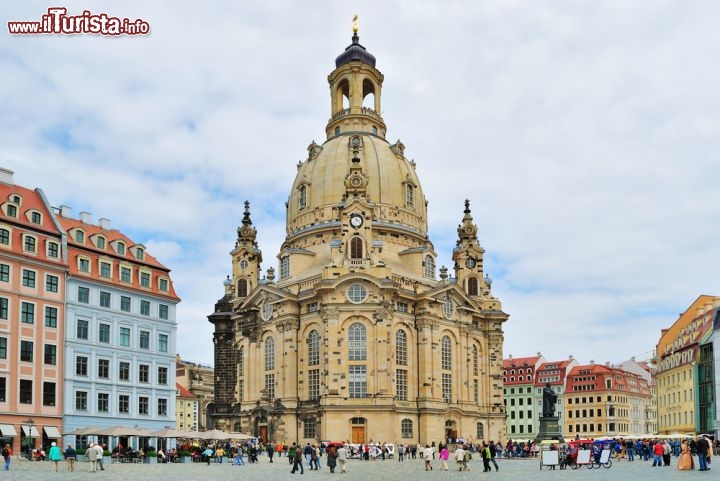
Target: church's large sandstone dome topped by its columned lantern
{"type": "Point", "coordinates": [356, 185]}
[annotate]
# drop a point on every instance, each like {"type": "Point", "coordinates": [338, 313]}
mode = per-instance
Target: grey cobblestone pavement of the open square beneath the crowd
{"type": "Point", "coordinates": [389, 470]}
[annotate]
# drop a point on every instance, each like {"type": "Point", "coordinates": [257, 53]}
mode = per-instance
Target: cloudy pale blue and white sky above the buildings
{"type": "Point", "coordinates": [585, 134]}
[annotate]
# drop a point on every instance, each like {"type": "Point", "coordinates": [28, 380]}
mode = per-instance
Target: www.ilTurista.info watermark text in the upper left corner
{"type": "Point", "coordinates": [58, 22]}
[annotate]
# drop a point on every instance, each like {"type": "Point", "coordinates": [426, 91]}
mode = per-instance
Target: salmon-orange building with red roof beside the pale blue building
{"type": "Point", "coordinates": [32, 293]}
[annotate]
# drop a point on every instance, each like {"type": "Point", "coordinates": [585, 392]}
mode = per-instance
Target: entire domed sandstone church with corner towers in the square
{"type": "Point", "coordinates": [356, 337]}
